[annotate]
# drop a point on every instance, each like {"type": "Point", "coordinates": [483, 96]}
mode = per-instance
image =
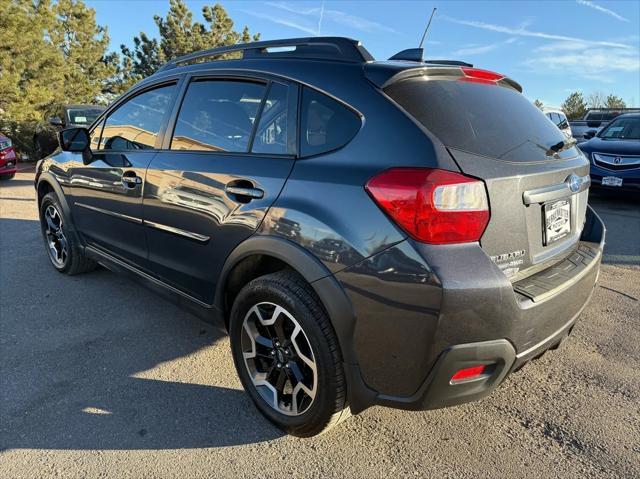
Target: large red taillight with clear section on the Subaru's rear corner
{"type": "Point", "coordinates": [433, 206]}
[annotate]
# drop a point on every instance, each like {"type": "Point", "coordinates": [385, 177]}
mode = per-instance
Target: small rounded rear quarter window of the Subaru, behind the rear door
{"type": "Point", "coordinates": [325, 124]}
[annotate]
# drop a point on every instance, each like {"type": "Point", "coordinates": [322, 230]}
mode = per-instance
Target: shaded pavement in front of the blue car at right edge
{"type": "Point", "coordinates": [620, 212]}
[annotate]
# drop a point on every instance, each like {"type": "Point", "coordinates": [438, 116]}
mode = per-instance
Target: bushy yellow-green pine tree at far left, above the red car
{"type": "Point", "coordinates": [50, 53]}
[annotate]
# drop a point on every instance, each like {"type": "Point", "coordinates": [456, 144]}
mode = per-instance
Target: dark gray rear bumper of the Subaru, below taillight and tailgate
{"type": "Point", "coordinates": [481, 318]}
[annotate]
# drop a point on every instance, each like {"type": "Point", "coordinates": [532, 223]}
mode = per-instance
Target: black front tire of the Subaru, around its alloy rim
{"type": "Point", "coordinates": [74, 261]}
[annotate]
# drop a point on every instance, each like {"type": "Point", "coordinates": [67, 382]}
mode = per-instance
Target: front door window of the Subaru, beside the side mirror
{"type": "Point", "coordinates": [135, 124]}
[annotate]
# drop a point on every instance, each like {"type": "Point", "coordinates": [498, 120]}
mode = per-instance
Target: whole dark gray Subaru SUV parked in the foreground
{"type": "Point", "coordinates": [402, 233]}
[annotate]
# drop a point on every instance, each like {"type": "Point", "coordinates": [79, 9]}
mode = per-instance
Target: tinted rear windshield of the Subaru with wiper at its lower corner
{"type": "Point", "coordinates": [487, 120]}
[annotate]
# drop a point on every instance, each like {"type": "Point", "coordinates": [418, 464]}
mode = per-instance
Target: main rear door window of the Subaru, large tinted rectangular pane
{"type": "Point", "coordinates": [217, 115]}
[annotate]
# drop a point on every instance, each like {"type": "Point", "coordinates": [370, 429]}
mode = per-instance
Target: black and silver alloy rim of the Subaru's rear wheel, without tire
{"type": "Point", "coordinates": [279, 359]}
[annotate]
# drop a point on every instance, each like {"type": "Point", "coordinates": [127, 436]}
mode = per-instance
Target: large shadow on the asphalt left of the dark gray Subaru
{"type": "Point", "coordinates": [75, 356]}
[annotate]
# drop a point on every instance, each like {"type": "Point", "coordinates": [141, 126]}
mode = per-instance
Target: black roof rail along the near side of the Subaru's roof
{"type": "Point", "coordinates": [325, 48]}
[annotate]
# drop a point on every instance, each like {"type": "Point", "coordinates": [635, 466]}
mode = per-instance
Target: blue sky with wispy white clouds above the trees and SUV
{"type": "Point", "coordinates": [550, 47]}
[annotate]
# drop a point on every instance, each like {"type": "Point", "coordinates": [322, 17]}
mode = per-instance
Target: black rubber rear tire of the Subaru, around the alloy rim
{"type": "Point", "coordinates": [290, 291]}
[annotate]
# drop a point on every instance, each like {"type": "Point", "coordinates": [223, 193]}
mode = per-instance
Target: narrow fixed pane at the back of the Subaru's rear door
{"type": "Point", "coordinates": [272, 133]}
